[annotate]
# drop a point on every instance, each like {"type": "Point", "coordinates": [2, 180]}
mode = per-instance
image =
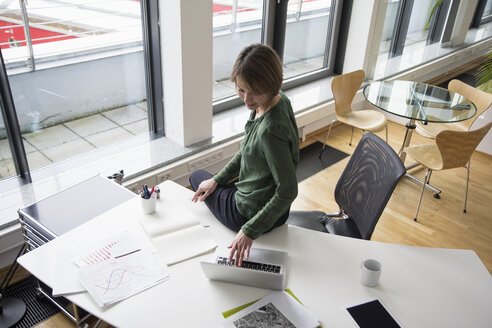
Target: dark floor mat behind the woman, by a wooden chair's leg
{"type": "Point", "coordinates": [310, 163]}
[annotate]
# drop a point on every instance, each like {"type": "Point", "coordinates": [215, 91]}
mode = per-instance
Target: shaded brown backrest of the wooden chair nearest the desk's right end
{"type": "Point", "coordinates": [456, 147]}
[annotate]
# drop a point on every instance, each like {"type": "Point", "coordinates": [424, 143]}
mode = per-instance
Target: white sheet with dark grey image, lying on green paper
{"type": "Point", "coordinates": [277, 309]}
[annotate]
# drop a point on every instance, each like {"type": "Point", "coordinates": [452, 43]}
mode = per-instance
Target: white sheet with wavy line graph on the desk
{"type": "Point", "coordinates": [124, 275]}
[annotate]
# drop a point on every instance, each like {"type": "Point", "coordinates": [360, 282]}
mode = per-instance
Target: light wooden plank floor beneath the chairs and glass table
{"type": "Point", "coordinates": [441, 223]}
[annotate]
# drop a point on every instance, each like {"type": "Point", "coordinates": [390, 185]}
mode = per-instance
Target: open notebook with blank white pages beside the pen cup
{"type": "Point", "coordinates": [177, 235]}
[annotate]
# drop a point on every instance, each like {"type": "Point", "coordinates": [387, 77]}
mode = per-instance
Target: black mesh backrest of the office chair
{"type": "Point", "coordinates": [368, 181]}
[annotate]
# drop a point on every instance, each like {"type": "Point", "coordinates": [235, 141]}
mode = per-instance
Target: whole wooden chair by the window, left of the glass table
{"type": "Point", "coordinates": [344, 88]}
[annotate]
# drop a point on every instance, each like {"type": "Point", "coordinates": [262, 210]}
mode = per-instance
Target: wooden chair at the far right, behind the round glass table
{"type": "Point", "coordinates": [481, 99]}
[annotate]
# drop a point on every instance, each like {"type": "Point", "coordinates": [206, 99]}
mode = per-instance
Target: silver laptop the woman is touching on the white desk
{"type": "Point", "coordinates": [265, 268]}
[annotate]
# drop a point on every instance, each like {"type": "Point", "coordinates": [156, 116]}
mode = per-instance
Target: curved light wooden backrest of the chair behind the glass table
{"type": "Point", "coordinates": [481, 99]}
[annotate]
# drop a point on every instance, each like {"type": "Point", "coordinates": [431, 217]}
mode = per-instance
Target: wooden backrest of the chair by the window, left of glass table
{"type": "Point", "coordinates": [344, 88]}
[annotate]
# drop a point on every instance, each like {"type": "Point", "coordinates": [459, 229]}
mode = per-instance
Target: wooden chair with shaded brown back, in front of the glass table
{"type": "Point", "coordinates": [451, 149]}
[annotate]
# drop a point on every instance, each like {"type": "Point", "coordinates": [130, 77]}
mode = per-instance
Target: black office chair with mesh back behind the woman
{"type": "Point", "coordinates": [362, 192]}
